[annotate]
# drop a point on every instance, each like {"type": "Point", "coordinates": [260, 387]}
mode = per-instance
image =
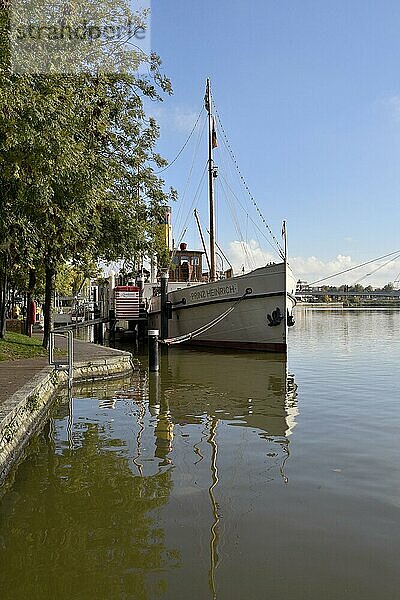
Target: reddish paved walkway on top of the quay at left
{"type": "Point", "coordinates": [16, 373]}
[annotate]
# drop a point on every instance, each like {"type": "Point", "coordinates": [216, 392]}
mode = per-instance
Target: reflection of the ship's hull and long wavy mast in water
{"type": "Point", "coordinates": [244, 391]}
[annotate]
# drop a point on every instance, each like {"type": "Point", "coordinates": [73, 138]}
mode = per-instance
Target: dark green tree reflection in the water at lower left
{"type": "Point", "coordinates": [109, 541]}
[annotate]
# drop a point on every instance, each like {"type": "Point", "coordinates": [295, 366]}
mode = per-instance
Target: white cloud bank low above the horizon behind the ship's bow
{"type": "Point", "coordinates": [311, 268]}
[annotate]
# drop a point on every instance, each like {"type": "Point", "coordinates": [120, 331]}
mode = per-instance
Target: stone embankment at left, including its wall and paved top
{"type": "Point", "coordinates": [28, 387]}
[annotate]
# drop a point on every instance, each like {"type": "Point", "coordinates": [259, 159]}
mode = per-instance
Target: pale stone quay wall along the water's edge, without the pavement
{"type": "Point", "coordinates": [26, 410]}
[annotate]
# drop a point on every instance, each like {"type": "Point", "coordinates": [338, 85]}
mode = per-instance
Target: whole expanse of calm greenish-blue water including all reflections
{"type": "Point", "coordinates": [228, 476]}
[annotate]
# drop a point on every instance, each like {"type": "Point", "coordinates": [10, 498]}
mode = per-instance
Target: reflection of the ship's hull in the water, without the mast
{"type": "Point", "coordinates": [242, 390]}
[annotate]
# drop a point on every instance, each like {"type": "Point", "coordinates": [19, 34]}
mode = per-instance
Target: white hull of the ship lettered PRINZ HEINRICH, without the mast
{"type": "Point", "coordinates": [253, 296]}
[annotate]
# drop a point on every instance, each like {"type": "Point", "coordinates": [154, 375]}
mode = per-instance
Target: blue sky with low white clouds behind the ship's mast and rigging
{"type": "Point", "coordinates": [309, 96]}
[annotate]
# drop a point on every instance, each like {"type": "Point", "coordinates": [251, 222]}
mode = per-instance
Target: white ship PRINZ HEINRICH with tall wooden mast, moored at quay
{"type": "Point", "coordinates": [251, 312]}
